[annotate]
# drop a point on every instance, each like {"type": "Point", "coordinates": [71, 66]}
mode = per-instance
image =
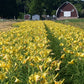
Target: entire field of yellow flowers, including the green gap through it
{"type": "Point", "coordinates": [42, 52]}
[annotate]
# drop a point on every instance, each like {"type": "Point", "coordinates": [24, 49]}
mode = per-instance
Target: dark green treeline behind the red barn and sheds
{"type": "Point", "coordinates": [17, 8]}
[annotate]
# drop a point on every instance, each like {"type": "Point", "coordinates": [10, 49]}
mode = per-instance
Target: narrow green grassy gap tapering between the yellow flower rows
{"type": "Point", "coordinates": [54, 44]}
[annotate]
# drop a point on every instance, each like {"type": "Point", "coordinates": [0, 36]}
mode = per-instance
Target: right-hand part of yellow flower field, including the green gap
{"type": "Point", "coordinates": [69, 49]}
